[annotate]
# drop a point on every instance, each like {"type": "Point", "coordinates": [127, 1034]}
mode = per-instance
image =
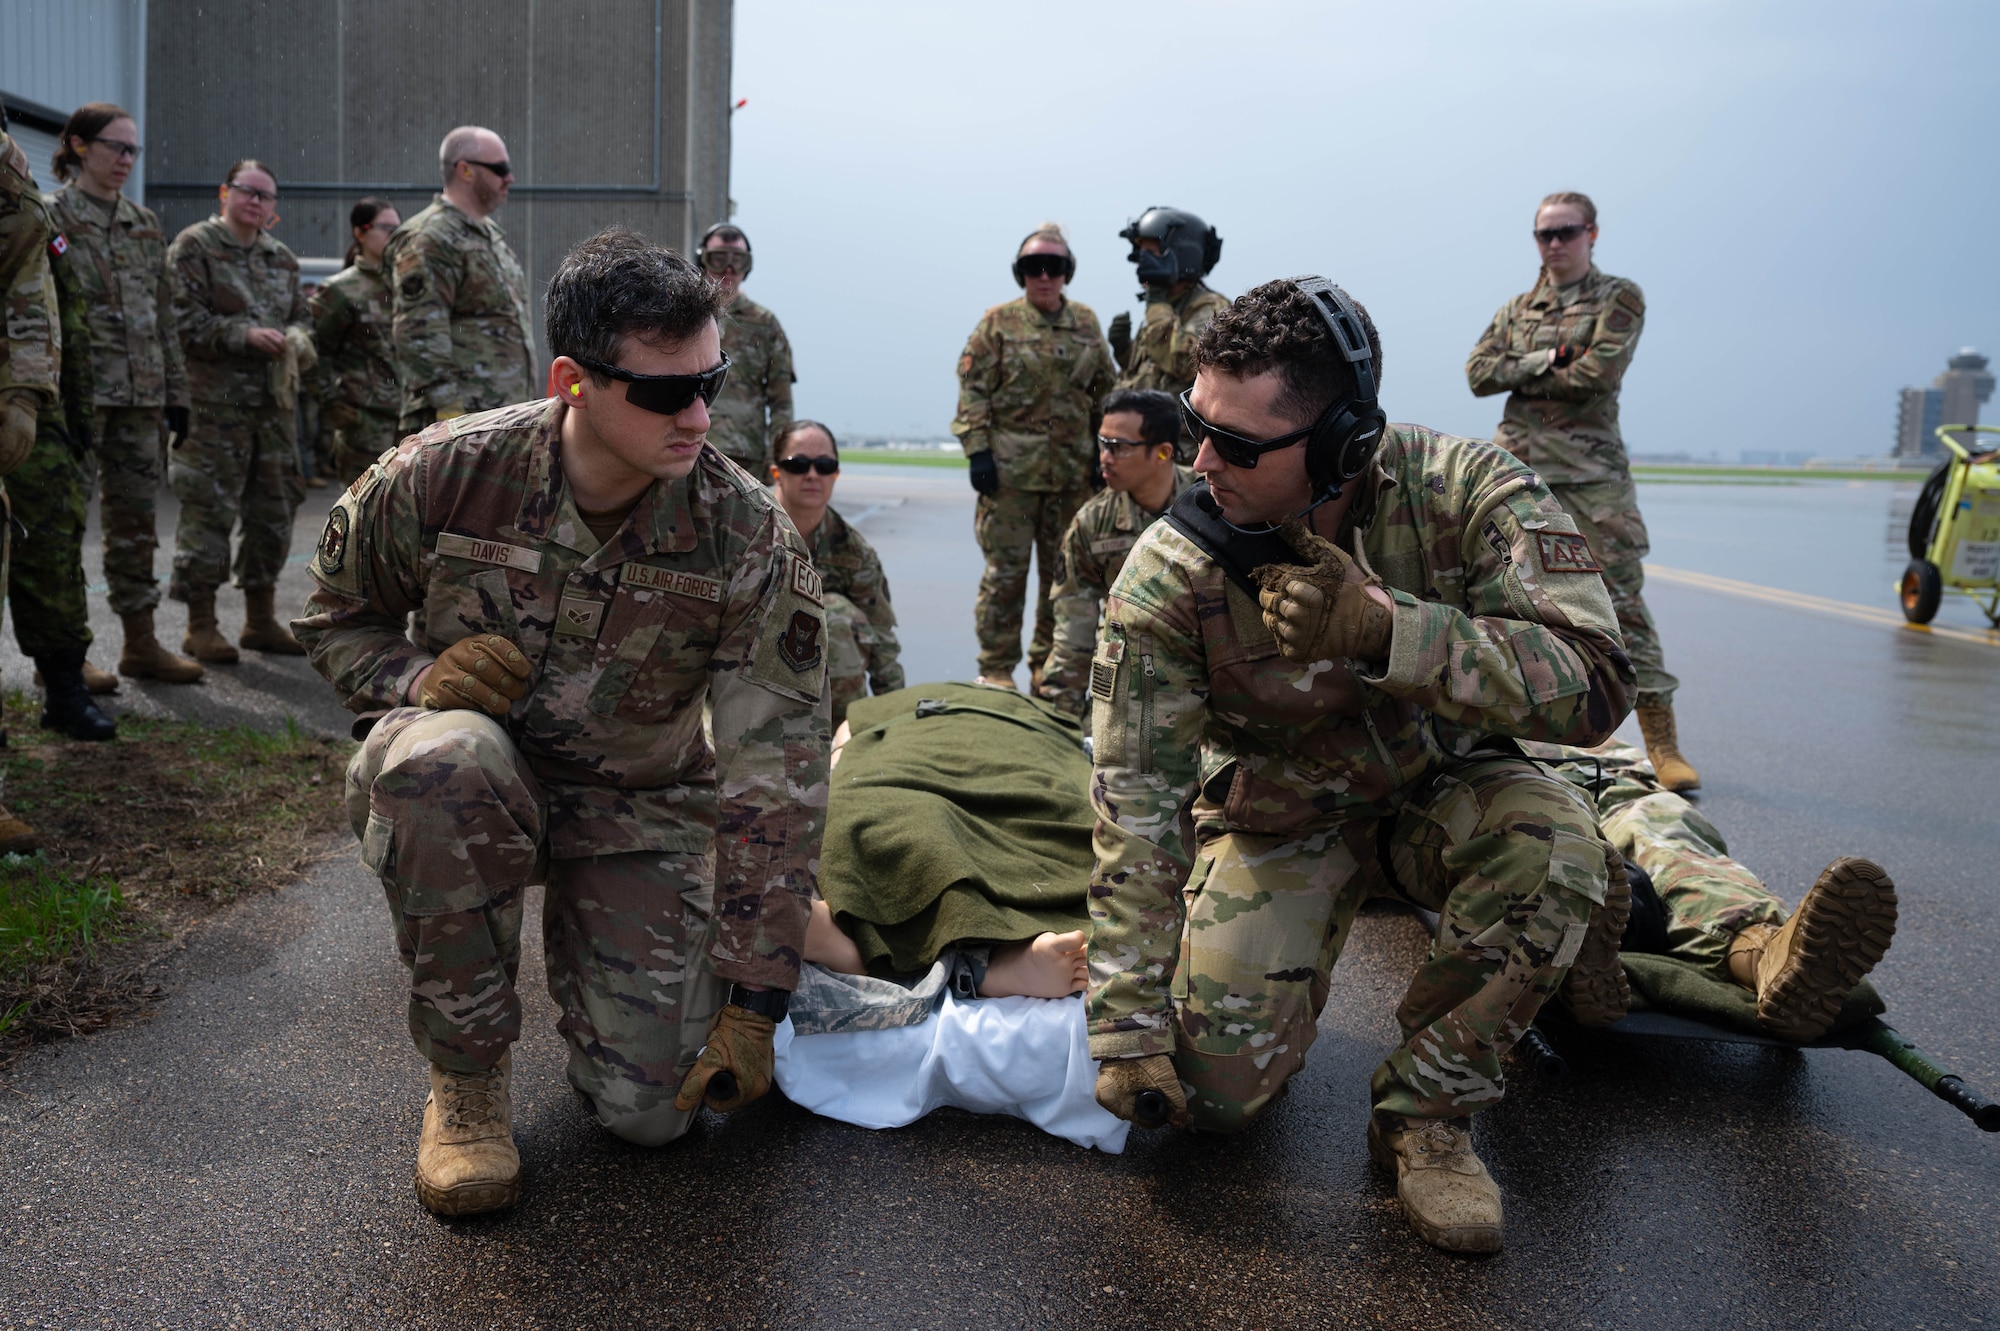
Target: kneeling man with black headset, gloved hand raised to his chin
{"type": "Point", "coordinates": [1287, 724]}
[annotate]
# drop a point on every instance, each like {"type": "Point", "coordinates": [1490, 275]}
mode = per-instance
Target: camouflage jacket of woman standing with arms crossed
{"type": "Point", "coordinates": [1563, 423]}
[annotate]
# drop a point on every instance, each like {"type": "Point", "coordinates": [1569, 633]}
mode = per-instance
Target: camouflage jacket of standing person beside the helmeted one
{"type": "Point", "coordinates": [1029, 387]}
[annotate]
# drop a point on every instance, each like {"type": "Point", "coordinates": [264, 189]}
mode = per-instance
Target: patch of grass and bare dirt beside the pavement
{"type": "Point", "coordinates": [143, 838]}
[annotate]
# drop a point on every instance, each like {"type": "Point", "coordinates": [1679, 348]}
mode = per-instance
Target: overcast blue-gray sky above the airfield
{"type": "Point", "coordinates": [1807, 193]}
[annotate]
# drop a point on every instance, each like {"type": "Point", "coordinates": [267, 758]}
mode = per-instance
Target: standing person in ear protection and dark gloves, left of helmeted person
{"type": "Point", "coordinates": [1029, 387]}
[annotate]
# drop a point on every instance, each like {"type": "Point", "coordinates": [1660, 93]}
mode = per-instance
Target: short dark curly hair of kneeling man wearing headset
{"type": "Point", "coordinates": [1277, 327]}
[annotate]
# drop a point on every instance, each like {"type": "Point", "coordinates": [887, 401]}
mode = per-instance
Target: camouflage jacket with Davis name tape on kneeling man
{"type": "Point", "coordinates": [703, 597]}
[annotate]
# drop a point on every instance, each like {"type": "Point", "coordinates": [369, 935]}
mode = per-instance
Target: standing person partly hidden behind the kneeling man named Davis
{"type": "Point", "coordinates": [757, 403]}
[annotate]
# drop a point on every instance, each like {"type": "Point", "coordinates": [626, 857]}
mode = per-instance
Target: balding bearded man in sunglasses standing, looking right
{"type": "Point", "coordinates": [461, 323]}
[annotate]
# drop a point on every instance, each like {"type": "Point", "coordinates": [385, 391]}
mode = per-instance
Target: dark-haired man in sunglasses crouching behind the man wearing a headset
{"type": "Point", "coordinates": [1137, 445]}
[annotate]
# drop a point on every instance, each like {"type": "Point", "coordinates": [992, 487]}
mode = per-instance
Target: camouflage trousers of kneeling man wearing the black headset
{"type": "Point", "coordinates": [1505, 852]}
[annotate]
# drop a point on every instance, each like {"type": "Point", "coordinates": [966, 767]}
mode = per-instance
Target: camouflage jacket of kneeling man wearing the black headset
{"type": "Point", "coordinates": [1201, 726]}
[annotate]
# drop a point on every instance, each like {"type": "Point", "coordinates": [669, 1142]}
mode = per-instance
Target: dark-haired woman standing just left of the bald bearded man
{"type": "Point", "coordinates": [353, 317]}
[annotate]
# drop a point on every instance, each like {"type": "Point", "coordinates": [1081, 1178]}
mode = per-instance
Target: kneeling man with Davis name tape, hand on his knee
{"type": "Point", "coordinates": [591, 573]}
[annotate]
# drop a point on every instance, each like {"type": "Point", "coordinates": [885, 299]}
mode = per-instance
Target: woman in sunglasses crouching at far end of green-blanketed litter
{"type": "Point", "coordinates": [861, 625]}
